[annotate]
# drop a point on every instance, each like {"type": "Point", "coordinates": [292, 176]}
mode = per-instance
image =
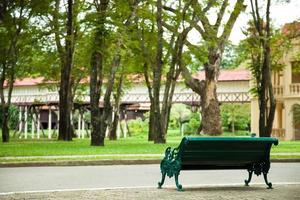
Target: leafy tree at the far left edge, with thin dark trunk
{"type": "Point", "coordinates": [14, 47]}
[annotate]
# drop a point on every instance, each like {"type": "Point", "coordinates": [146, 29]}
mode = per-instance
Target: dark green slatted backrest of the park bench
{"type": "Point", "coordinates": [224, 152]}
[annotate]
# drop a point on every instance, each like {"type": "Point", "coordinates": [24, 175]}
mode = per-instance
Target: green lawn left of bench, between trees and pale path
{"type": "Point", "coordinates": [47, 147]}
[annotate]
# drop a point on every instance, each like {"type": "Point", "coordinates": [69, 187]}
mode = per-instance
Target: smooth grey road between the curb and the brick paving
{"type": "Point", "coordinates": [26, 179]}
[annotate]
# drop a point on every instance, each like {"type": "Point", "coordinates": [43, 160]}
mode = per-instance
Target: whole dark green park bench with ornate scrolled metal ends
{"type": "Point", "coordinates": [203, 153]}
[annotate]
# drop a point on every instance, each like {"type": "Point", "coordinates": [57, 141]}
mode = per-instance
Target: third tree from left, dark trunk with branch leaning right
{"type": "Point", "coordinates": [101, 58]}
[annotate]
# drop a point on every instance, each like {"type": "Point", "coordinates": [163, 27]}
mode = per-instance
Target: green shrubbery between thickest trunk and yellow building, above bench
{"type": "Point", "coordinates": [237, 115]}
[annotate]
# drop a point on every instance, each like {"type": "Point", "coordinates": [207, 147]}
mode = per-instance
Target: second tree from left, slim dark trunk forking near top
{"type": "Point", "coordinates": [66, 55]}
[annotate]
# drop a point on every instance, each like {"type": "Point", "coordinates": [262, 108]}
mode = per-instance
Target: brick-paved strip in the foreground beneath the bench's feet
{"type": "Point", "coordinates": [280, 192]}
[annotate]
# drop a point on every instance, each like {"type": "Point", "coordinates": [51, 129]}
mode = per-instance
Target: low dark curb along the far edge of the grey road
{"type": "Point", "coordinates": [105, 162]}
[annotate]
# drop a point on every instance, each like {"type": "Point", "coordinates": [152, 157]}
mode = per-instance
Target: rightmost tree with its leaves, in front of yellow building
{"type": "Point", "coordinates": [262, 59]}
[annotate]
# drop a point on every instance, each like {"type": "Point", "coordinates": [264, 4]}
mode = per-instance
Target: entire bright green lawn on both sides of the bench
{"type": "Point", "coordinates": [131, 145]}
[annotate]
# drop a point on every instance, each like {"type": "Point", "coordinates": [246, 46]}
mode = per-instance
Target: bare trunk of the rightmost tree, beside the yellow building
{"type": "Point", "coordinates": [267, 103]}
